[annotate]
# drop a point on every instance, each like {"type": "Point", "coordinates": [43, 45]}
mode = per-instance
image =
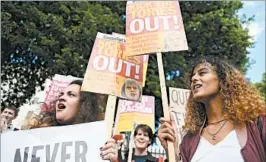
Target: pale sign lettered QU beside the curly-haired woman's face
{"type": "Point", "coordinates": [178, 102]}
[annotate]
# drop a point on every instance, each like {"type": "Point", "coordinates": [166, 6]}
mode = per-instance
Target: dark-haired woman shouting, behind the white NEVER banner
{"type": "Point", "coordinates": [72, 107]}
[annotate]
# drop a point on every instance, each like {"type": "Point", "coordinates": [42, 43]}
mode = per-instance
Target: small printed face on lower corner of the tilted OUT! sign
{"type": "Point", "coordinates": [131, 90]}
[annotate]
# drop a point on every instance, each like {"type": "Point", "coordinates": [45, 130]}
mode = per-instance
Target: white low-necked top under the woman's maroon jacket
{"type": "Point", "coordinates": [227, 150]}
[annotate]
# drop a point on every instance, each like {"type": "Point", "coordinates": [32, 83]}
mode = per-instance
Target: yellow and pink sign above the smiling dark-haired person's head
{"type": "Point", "coordinates": [130, 112]}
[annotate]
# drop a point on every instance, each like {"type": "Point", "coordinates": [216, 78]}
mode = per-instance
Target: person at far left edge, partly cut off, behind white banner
{"type": "Point", "coordinates": [7, 115]}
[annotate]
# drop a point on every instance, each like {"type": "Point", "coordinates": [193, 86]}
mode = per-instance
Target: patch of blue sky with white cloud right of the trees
{"type": "Point", "coordinates": [257, 30]}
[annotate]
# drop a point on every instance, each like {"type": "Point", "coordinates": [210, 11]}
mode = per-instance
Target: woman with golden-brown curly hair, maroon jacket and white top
{"type": "Point", "coordinates": [225, 117]}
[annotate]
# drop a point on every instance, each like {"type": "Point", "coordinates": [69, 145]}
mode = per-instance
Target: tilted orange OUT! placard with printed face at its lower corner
{"type": "Point", "coordinates": [109, 71]}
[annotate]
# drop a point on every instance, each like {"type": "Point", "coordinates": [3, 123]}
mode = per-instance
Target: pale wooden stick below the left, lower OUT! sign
{"type": "Point", "coordinates": [109, 114]}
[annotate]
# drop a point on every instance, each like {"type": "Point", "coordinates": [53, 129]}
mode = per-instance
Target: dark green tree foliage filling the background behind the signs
{"type": "Point", "coordinates": [61, 35]}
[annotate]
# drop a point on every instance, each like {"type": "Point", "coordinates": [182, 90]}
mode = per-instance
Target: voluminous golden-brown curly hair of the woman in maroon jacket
{"type": "Point", "coordinates": [241, 101]}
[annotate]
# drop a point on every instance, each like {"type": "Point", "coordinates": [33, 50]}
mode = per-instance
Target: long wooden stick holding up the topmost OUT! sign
{"type": "Point", "coordinates": [166, 112]}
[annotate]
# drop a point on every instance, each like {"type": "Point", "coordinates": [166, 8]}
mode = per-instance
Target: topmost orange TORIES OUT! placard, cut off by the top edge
{"type": "Point", "coordinates": [154, 26]}
